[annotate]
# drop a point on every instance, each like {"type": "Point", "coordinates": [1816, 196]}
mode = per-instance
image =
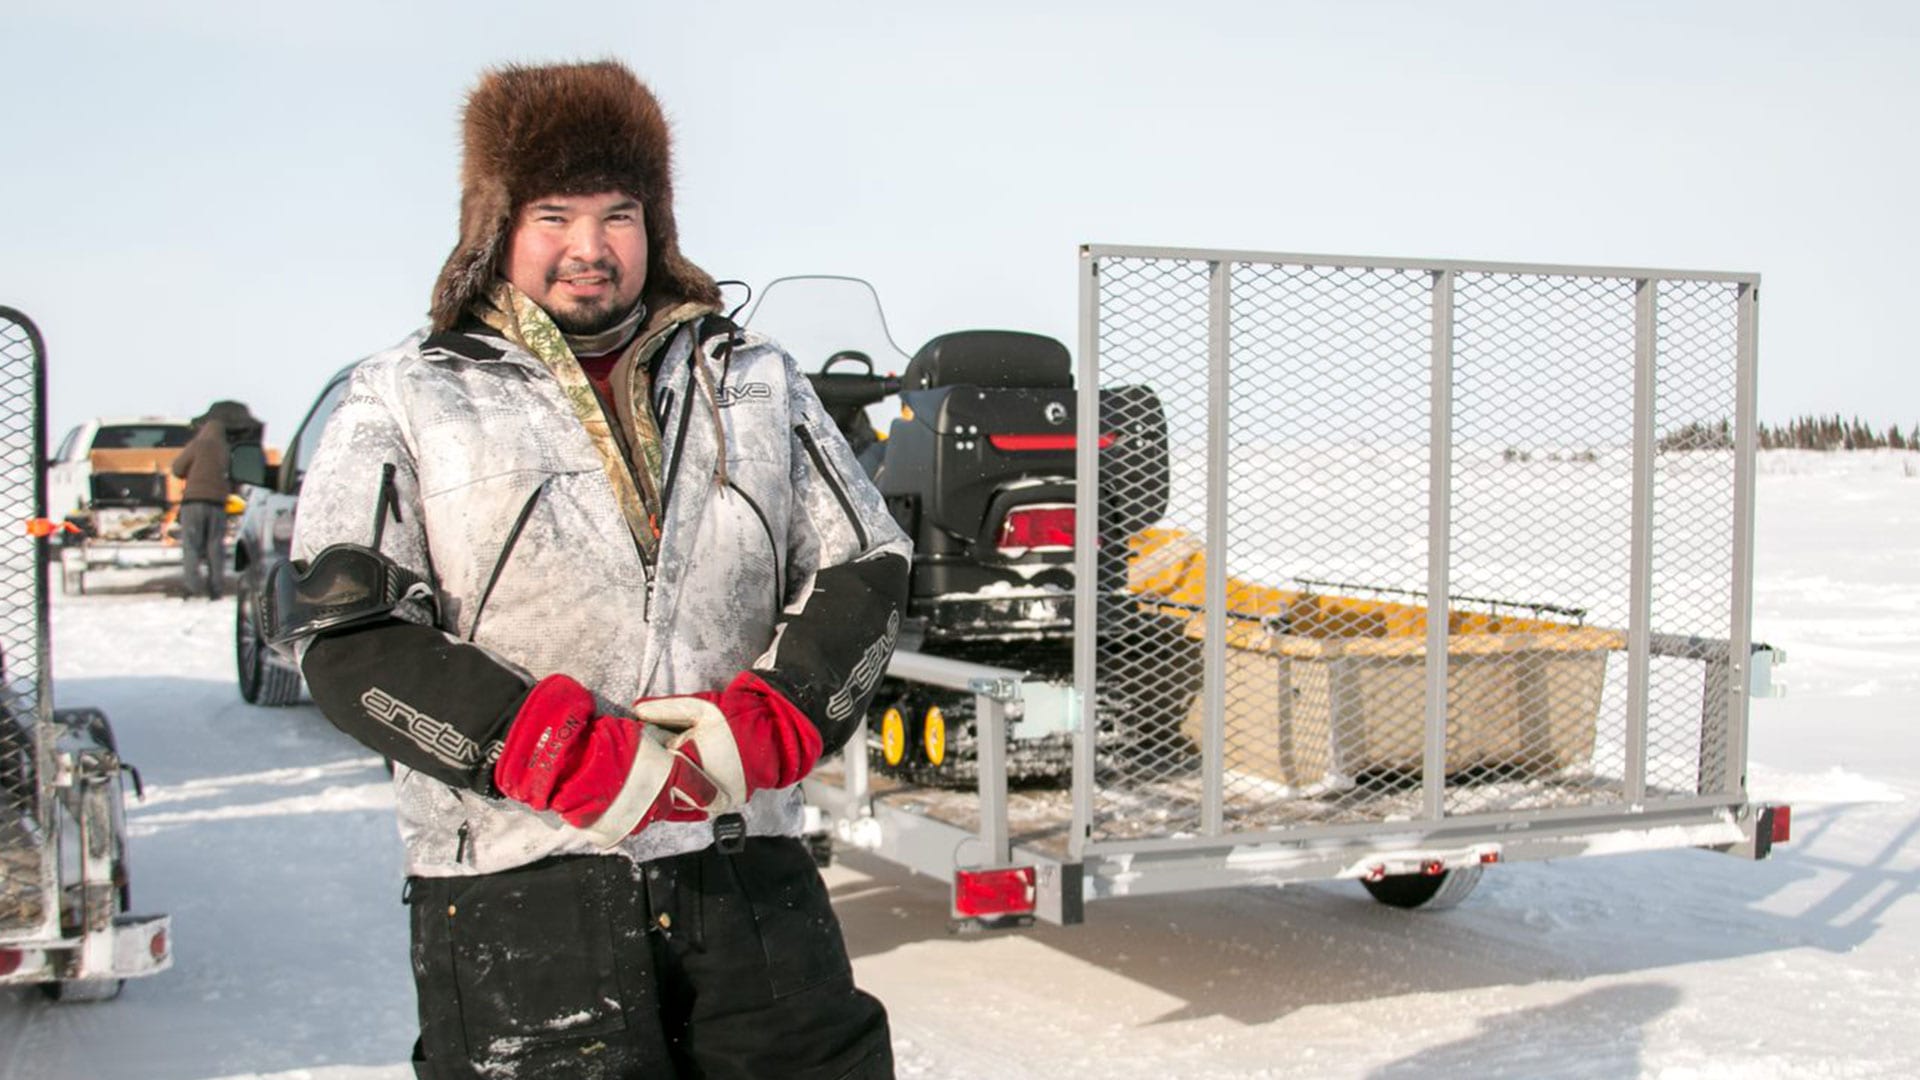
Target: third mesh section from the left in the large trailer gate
{"type": "Point", "coordinates": [1543, 495]}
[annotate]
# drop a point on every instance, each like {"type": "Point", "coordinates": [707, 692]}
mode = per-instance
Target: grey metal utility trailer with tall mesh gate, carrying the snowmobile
{"type": "Point", "coordinates": [1462, 551]}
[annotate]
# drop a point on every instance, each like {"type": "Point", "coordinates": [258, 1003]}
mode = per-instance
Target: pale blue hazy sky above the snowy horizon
{"type": "Point", "coordinates": [237, 199]}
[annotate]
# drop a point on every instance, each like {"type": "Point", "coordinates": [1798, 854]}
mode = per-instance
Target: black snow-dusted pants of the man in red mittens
{"type": "Point", "coordinates": [592, 968]}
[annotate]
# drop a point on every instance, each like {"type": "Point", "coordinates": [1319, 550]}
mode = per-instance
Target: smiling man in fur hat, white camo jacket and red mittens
{"type": "Point", "coordinates": [594, 568]}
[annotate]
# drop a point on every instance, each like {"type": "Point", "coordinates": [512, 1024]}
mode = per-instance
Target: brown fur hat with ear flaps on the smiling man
{"type": "Point", "coordinates": [562, 130]}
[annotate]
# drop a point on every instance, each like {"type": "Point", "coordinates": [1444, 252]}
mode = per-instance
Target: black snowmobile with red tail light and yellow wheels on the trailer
{"type": "Point", "coordinates": [978, 470]}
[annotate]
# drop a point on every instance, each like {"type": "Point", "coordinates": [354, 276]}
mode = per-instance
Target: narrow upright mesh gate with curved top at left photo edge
{"type": "Point", "coordinates": [26, 856]}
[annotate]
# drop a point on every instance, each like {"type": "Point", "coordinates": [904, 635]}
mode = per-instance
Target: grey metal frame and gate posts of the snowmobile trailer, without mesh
{"type": "Point", "coordinates": [1067, 868]}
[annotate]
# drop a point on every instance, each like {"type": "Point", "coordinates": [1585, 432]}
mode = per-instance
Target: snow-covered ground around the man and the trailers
{"type": "Point", "coordinates": [270, 841]}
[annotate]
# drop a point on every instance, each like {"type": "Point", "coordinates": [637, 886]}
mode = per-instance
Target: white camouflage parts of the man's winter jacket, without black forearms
{"type": "Point", "coordinates": [502, 497]}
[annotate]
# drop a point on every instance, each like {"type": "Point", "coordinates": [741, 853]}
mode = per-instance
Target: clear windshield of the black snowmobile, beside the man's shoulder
{"type": "Point", "coordinates": [821, 316]}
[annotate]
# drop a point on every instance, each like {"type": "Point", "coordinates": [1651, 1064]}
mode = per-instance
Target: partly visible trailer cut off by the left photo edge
{"type": "Point", "coordinates": [64, 883]}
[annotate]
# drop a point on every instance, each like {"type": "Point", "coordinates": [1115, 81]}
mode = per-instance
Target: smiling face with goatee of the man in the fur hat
{"type": "Point", "coordinates": [581, 257]}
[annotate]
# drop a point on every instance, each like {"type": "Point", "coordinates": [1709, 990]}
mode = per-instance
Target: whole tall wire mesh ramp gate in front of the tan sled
{"type": "Point", "coordinates": [1429, 541]}
